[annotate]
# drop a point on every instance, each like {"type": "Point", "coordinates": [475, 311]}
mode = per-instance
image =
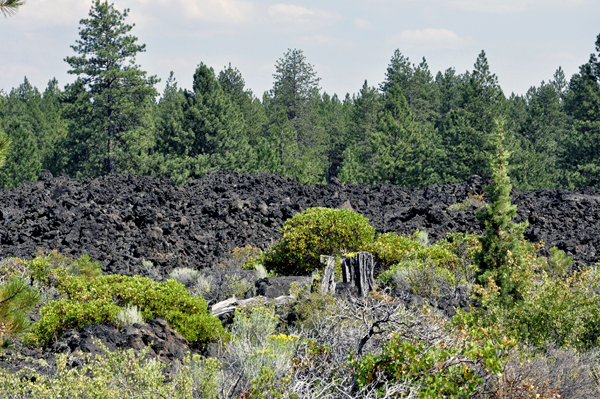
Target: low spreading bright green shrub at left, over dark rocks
{"type": "Point", "coordinates": [98, 301]}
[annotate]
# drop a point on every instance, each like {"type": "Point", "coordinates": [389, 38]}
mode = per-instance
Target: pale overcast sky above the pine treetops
{"type": "Point", "coordinates": [347, 41]}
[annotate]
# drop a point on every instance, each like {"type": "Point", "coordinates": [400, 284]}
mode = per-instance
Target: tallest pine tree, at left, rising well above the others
{"type": "Point", "coordinates": [108, 103]}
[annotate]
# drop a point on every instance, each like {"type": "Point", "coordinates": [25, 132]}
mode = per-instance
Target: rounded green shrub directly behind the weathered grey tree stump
{"type": "Point", "coordinates": [316, 232]}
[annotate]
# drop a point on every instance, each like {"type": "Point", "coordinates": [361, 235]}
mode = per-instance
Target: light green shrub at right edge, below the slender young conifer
{"type": "Point", "coordinates": [564, 311]}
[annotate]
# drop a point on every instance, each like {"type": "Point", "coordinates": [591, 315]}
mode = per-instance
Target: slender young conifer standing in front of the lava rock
{"type": "Point", "coordinates": [501, 246]}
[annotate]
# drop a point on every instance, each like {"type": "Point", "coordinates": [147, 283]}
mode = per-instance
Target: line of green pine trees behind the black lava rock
{"type": "Point", "coordinates": [413, 129]}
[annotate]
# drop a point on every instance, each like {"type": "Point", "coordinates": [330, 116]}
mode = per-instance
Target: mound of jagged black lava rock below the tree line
{"type": "Point", "coordinates": [123, 220]}
